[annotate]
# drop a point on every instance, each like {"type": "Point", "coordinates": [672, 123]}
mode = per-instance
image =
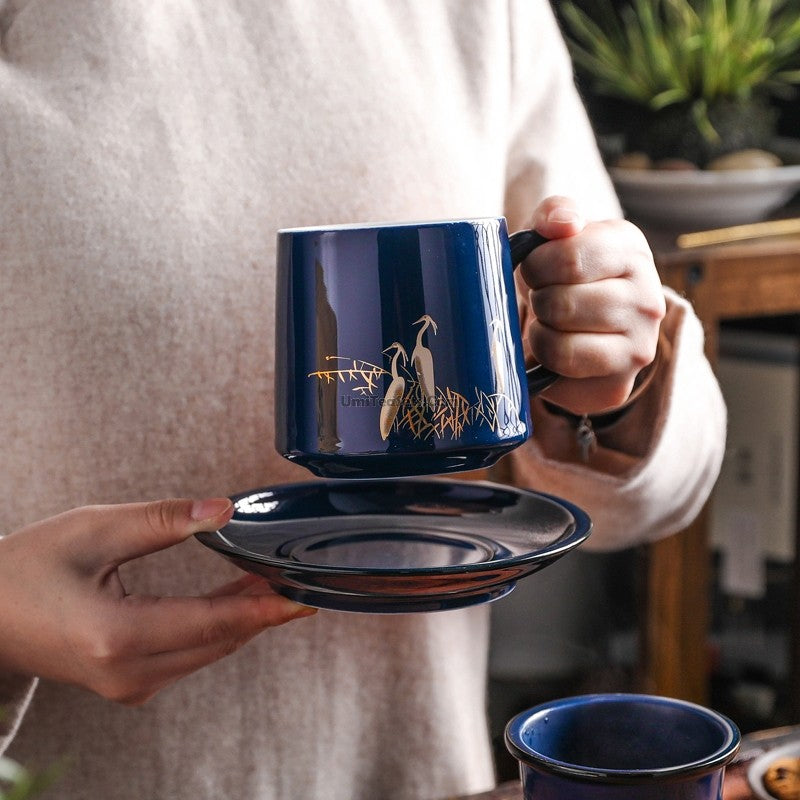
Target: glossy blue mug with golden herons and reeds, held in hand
{"type": "Point", "coordinates": [398, 347]}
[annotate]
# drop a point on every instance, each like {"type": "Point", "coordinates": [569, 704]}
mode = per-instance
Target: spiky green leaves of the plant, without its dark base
{"type": "Point", "coordinates": [694, 55]}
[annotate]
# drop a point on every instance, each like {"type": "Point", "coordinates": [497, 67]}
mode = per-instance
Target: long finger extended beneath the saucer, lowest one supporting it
{"type": "Point", "coordinates": [171, 624]}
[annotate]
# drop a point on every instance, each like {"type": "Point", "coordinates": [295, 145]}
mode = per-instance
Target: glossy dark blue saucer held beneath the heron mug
{"type": "Point", "coordinates": [394, 546]}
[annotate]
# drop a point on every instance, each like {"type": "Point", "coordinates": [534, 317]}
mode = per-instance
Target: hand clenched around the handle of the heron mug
{"type": "Point", "coordinates": [597, 304]}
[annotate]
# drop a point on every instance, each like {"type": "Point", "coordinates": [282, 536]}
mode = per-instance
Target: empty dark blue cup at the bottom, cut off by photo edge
{"type": "Point", "coordinates": [622, 747]}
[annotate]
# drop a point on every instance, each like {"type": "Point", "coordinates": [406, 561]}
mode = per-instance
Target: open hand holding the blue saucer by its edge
{"type": "Point", "coordinates": [65, 614]}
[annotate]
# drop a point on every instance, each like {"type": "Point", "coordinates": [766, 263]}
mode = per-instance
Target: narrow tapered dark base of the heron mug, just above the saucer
{"type": "Point", "coordinates": [398, 465]}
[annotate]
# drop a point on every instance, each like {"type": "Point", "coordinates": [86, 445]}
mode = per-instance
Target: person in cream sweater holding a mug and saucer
{"type": "Point", "coordinates": [150, 153]}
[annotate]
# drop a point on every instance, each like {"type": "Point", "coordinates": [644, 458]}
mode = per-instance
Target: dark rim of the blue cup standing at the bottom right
{"type": "Point", "coordinates": [519, 724]}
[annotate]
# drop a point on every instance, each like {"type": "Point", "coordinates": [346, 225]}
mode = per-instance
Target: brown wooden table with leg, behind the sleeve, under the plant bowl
{"type": "Point", "coordinates": [751, 279]}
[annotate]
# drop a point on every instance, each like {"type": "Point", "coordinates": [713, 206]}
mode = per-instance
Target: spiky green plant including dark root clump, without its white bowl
{"type": "Point", "coordinates": [695, 76]}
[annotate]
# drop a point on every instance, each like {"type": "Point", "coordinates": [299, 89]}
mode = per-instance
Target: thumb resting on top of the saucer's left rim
{"type": "Point", "coordinates": [110, 535]}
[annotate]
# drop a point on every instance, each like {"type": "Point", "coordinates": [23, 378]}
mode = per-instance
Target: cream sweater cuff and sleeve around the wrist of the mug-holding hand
{"type": "Point", "coordinates": [651, 472]}
